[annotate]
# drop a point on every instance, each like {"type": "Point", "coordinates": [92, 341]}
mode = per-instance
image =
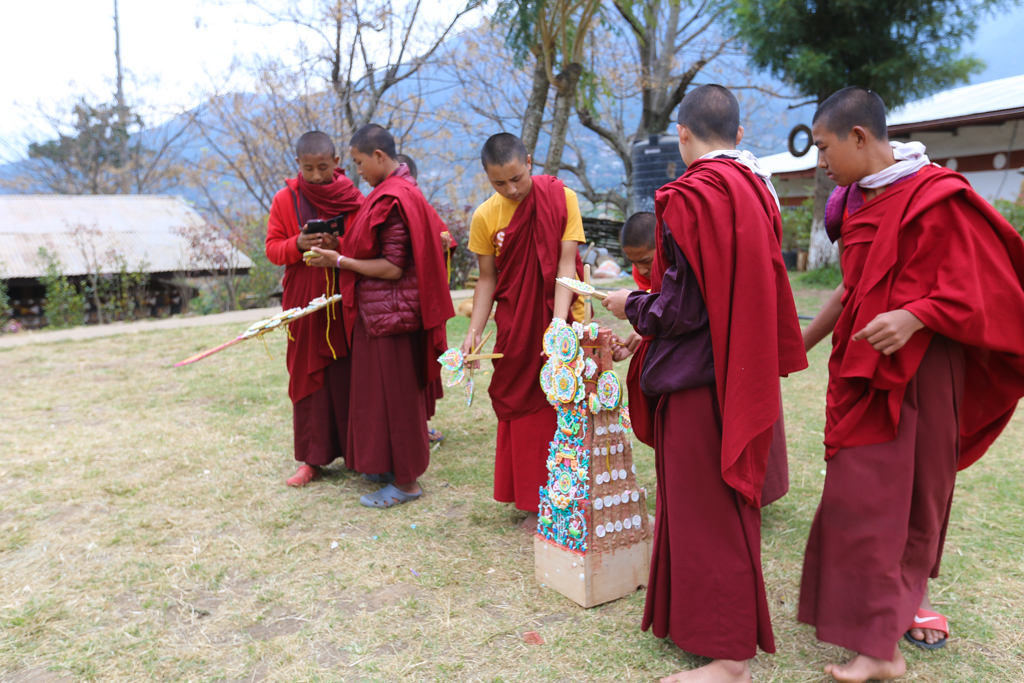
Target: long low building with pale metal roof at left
{"type": "Point", "coordinates": [162, 237]}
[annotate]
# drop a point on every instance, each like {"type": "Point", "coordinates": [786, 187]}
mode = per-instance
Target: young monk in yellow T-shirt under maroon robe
{"type": "Point", "coordinates": [527, 235]}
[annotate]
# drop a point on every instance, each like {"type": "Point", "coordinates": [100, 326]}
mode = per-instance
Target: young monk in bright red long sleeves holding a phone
{"type": "Point", "coordinates": [318, 352]}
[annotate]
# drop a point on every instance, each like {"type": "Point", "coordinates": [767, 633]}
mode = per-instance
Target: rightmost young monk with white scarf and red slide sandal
{"type": "Point", "coordinates": [926, 371]}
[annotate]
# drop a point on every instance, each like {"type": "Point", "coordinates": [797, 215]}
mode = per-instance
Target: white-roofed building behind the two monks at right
{"type": "Point", "coordinates": [977, 131]}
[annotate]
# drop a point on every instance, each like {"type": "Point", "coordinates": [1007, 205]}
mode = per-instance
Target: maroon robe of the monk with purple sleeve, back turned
{"type": "Point", "coordinates": [712, 442]}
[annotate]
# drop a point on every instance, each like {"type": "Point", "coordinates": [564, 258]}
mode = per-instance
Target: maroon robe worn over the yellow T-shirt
{"type": "Point", "coordinates": [527, 267]}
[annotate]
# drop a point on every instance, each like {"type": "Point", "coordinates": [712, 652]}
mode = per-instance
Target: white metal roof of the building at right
{"type": "Point", "coordinates": [1005, 94]}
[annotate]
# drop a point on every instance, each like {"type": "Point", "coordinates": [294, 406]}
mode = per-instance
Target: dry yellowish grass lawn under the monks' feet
{"type": "Point", "coordinates": [147, 535]}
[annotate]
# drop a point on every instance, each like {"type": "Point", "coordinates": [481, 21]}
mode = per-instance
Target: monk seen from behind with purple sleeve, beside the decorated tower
{"type": "Point", "coordinates": [720, 328]}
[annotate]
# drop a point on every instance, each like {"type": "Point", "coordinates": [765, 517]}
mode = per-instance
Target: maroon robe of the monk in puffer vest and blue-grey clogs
{"type": "Point", "coordinates": [394, 376]}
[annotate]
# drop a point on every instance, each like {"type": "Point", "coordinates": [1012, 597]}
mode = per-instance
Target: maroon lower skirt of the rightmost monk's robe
{"type": "Point", "coordinates": [879, 532]}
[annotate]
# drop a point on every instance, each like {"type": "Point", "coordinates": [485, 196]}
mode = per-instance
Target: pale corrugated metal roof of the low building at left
{"type": "Point", "coordinates": [142, 228]}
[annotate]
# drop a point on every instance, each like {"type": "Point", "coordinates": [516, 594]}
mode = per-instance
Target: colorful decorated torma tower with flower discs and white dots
{"type": "Point", "coordinates": [591, 502]}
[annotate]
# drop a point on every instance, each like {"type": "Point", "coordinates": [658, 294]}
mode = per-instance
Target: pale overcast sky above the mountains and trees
{"type": "Point", "coordinates": [56, 50]}
